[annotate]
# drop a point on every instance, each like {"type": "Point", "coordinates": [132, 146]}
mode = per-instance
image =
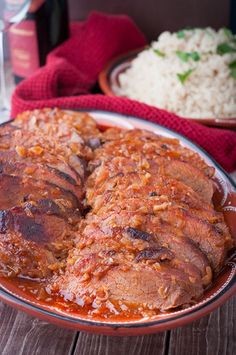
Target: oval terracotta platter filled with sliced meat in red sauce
{"type": "Point", "coordinates": [111, 224]}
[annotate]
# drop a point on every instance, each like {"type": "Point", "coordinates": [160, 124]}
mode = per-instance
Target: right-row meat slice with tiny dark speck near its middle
{"type": "Point", "coordinates": [142, 185]}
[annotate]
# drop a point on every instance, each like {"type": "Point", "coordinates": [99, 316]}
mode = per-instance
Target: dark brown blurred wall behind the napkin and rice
{"type": "Point", "coordinates": [155, 16]}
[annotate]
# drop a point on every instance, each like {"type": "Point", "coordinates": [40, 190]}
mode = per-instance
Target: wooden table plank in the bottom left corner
{"type": "Point", "coordinates": [23, 334]}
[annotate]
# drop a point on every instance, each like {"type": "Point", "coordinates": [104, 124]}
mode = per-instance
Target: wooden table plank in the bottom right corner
{"type": "Point", "coordinates": [212, 335]}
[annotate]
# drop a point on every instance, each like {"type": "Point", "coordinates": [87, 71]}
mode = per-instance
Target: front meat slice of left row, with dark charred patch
{"type": "Point", "coordinates": [32, 243]}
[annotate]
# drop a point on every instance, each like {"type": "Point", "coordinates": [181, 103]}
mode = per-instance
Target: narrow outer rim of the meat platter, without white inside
{"type": "Point", "coordinates": [199, 310]}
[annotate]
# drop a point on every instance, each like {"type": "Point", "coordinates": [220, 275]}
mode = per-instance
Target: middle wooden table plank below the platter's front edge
{"type": "Point", "coordinates": [88, 344]}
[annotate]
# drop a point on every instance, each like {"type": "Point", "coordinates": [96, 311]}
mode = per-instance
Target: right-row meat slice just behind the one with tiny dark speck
{"type": "Point", "coordinates": [159, 167]}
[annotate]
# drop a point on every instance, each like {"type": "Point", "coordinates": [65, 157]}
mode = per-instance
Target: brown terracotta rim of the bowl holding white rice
{"type": "Point", "coordinates": [105, 86]}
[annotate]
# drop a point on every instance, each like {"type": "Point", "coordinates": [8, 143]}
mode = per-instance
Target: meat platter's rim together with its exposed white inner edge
{"type": "Point", "coordinates": [144, 325]}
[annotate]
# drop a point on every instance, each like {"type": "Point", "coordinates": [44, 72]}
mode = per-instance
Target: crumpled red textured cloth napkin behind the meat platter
{"type": "Point", "coordinates": [72, 70]}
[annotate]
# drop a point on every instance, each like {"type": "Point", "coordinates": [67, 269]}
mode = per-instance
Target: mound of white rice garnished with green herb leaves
{"type": "Point", "coordinates": [208, 92]}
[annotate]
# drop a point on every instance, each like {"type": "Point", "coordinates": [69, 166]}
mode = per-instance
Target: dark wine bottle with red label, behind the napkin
{"type": "Point", "coordinates": [44, 27]}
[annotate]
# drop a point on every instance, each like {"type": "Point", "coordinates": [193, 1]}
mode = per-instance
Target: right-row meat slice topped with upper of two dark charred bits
{"type": "Point", "coordinates": [135, 239]}
